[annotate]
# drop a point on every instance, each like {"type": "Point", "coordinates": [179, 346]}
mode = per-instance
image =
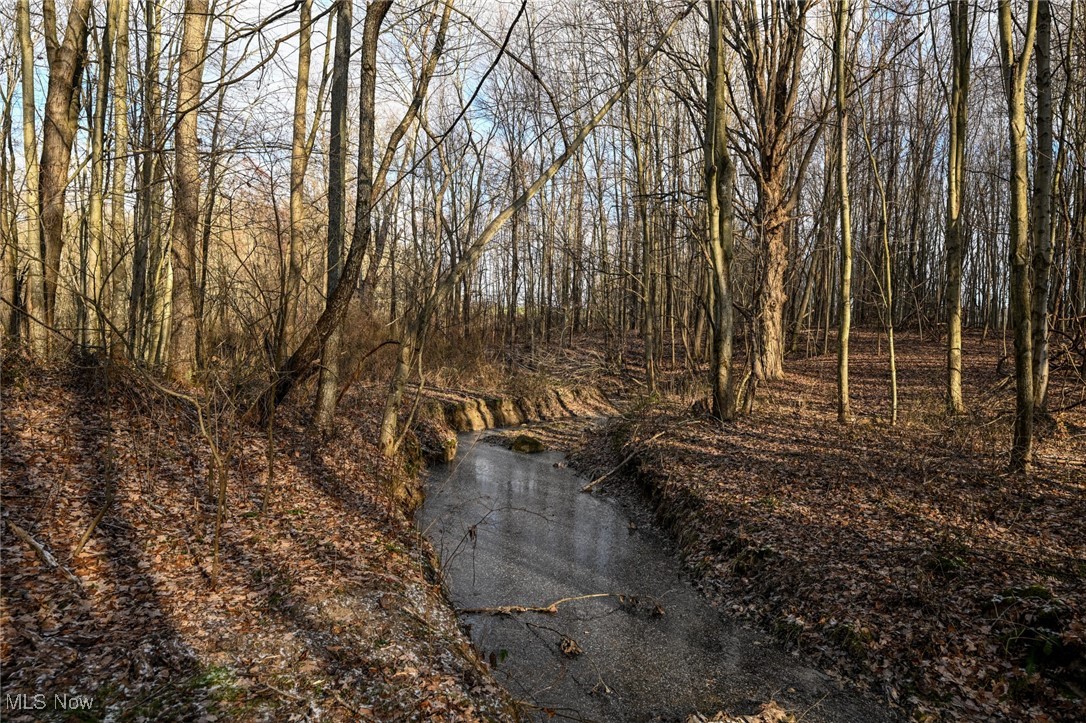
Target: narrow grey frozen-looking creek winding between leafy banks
{"type": "Point", "coordinates": [515, 530]}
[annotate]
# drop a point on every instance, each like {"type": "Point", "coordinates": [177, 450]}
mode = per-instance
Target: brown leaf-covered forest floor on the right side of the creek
{"type": "Point", "coordinates": [903, 556]}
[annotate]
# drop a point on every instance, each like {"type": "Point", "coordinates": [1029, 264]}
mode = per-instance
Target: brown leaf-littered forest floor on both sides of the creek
{"type": "Point", "coordinates": [904, 557]}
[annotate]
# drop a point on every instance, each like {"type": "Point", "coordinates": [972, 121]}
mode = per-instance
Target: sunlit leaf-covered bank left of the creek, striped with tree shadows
{"type": "Point", "coordinates": [325, 606]}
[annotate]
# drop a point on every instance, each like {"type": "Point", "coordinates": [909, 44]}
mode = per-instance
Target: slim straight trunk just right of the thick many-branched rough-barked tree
{"type": "Point", "coordinates": [845, 319]}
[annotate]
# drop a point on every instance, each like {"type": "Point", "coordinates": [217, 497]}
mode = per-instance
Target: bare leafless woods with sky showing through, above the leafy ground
{"type": "Point", "coordinates": [621, 238]}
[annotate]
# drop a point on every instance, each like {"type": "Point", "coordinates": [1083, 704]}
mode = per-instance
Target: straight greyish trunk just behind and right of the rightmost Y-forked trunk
{"type": "Point", "coordinates": [1042, 211]}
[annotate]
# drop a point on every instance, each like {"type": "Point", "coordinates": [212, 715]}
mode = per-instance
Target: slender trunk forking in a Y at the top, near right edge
{"type": "Point", "coordinates": [1016, 69]}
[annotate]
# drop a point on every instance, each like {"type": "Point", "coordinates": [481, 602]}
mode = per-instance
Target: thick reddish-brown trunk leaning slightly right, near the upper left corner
{"type": "Point", "coordinates": [62, 111]}
